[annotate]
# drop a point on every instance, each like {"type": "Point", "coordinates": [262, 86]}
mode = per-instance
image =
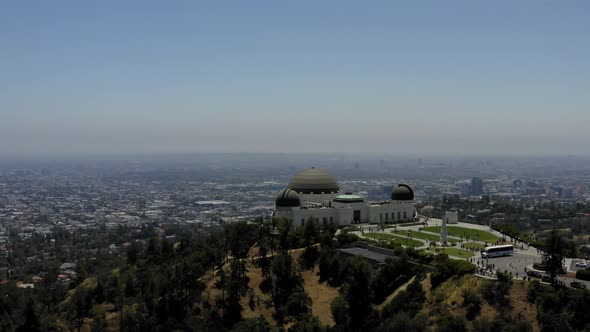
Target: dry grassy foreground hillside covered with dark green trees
{"type": "Point", "coordinates": [248, 277]}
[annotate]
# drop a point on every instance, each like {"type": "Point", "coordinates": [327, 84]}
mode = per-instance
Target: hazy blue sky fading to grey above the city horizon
{"type": "Point", "coordinates": [391, 77]}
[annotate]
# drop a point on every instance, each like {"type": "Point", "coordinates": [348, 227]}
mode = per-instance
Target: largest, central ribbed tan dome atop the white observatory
{"type": "Point", "coordinates": [314, 181]}
